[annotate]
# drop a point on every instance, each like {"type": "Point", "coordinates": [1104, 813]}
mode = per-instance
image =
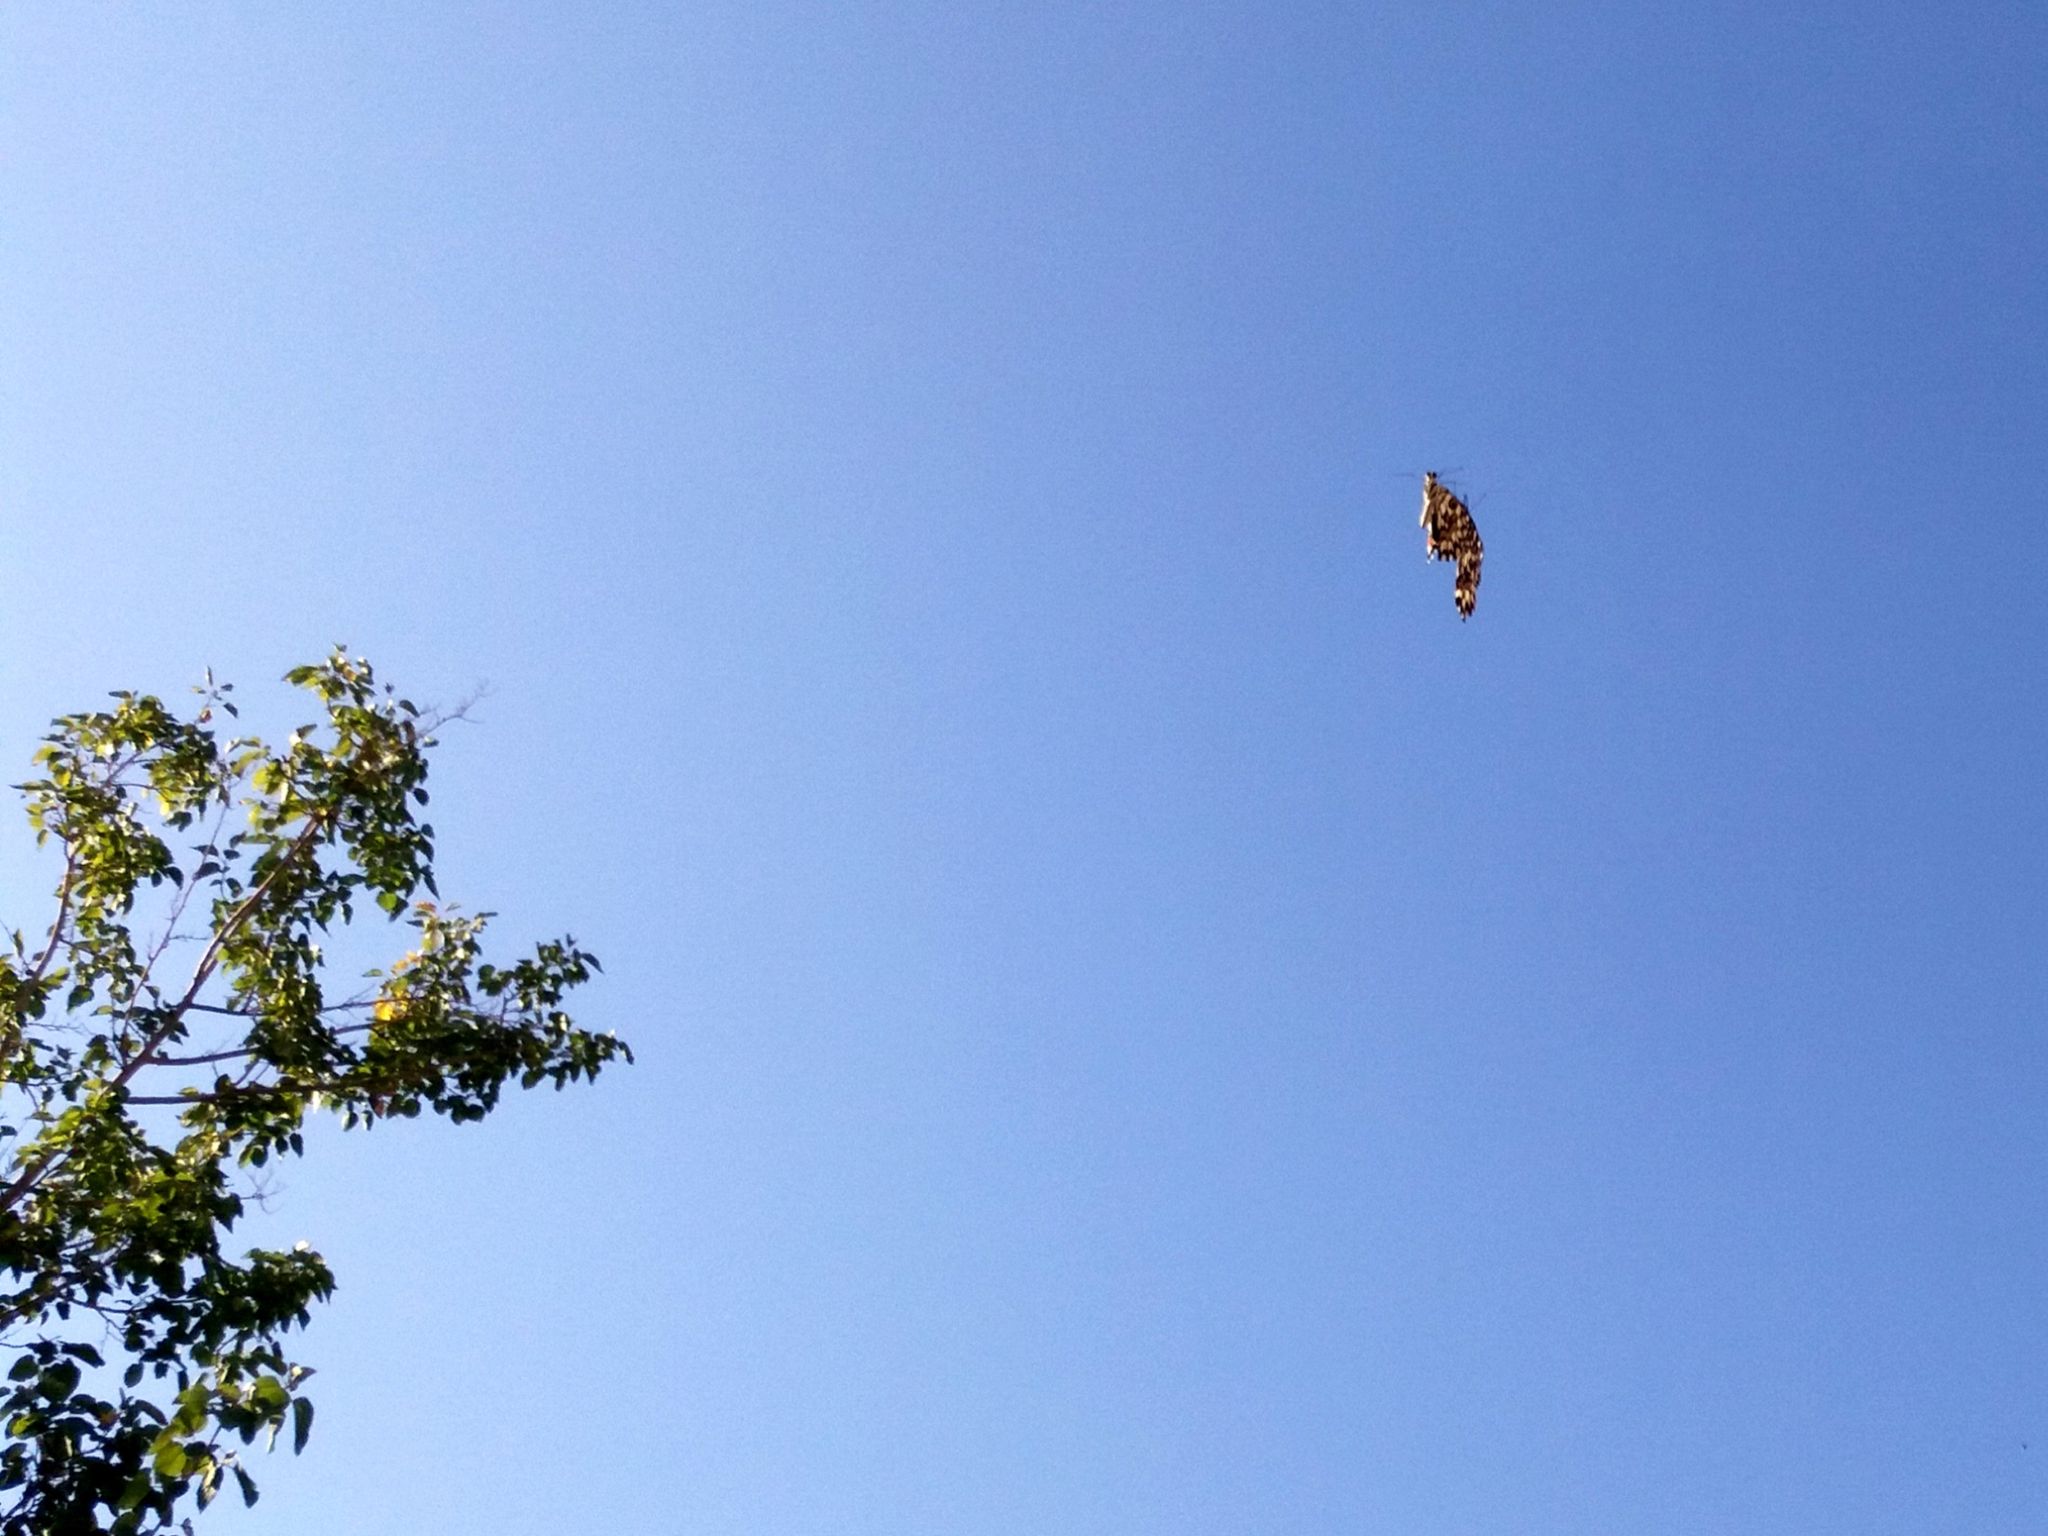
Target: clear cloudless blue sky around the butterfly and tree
{"type": "Point", "coordinates": [1148, 1025]}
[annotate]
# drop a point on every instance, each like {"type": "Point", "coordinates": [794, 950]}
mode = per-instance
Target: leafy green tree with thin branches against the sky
{"type": "Point", "coordinates": [153, 1060]}
